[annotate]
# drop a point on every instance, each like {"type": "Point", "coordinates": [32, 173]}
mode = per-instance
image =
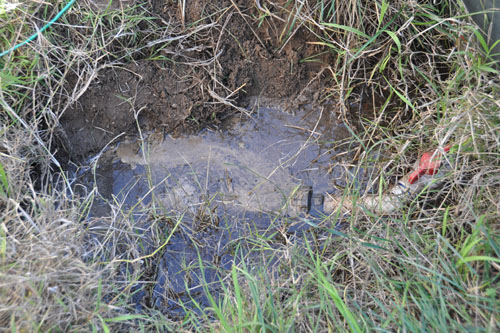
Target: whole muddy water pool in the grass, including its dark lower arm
{"type": "Point", "coordinates": [260, 174]}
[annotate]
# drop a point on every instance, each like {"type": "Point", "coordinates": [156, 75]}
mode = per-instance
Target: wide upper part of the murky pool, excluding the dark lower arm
{"type": "Point", "coordinates": [262, 164]}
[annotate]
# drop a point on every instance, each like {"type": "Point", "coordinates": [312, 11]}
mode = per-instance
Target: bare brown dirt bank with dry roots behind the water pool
{"type": "Point", "coordinates": [224, 57]}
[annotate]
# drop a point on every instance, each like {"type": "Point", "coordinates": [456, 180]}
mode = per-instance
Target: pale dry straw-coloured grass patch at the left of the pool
{"type": "Point", "coordinates": [44, 283]}
